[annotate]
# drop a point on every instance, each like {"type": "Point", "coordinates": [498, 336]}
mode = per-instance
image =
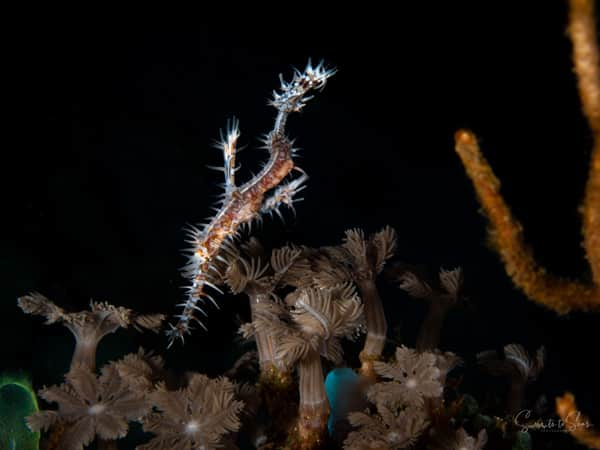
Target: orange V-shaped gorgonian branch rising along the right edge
{"type": "Point", "coordinates": [558, 294]}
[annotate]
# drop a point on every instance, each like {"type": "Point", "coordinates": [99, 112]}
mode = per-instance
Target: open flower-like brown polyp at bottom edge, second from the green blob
{"type": "Point", "coordinates": [197, 416]}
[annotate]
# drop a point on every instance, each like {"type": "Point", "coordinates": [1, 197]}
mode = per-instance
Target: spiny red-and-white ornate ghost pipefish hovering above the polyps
{"type": "Point", "coordinates": [244, 204]}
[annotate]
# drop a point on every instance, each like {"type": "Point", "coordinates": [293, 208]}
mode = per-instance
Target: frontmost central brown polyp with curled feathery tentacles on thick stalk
{"type": "Point", "coordinates": [311, 327]}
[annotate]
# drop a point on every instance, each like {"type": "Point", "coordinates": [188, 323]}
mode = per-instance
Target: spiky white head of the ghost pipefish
{"type": "Point", "coordinates": [293, 95]}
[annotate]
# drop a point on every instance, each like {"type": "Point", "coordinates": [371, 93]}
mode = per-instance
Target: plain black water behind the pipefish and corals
{"type": "Point", "coordinates": [101, 216]}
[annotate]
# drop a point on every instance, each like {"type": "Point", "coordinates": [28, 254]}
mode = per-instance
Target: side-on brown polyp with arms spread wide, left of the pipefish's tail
{"type": "Point", "coordinates": [89, 327]}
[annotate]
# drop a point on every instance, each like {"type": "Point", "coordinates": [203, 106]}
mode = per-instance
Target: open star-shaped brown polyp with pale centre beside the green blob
{"type": "Point", "coordinates": [89, 406]}
